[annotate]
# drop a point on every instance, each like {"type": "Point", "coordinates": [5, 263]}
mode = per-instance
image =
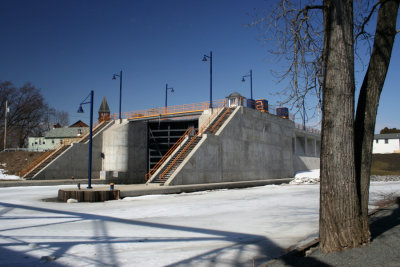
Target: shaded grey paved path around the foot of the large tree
{"type": "Point", "coordinates": [383, 250]}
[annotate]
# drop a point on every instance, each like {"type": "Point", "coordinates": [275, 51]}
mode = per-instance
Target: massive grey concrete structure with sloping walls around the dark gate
{"type": "Point", "coordinates": [247, 145]}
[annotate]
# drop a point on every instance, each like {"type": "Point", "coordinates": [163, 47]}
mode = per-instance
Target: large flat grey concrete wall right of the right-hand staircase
{"type": "Point", "coordinates": [251, 145]}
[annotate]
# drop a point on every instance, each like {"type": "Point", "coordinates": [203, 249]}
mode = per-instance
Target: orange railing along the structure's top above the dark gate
{"type": "Point", "coordinates": [171, 110]}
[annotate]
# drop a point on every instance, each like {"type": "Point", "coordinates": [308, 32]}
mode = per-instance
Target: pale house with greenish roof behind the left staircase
{"type": "Point", "coordinates": [55, 137]}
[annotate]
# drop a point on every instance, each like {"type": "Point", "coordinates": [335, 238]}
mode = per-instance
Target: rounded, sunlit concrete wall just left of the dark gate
{"type": "Point", "coordinates": [125, 152]}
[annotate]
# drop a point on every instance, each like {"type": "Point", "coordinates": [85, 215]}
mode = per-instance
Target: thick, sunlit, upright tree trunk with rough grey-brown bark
{"type": "Point", "coordinates": [340, 220]}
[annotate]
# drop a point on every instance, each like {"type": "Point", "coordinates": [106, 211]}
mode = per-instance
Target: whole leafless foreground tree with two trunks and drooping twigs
{"type": "Point", "coordinates": [317, 40]}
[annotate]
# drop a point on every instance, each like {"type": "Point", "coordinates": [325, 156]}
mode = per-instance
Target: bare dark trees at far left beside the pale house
{"type": "Point", "coordinates": [29, 114]}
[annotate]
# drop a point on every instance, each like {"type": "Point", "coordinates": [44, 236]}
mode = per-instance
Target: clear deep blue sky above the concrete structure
{"type": "Point", "coordinates": [68, 48]}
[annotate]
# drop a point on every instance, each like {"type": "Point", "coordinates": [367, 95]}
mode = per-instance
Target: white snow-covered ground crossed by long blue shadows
{"type": "Point", "coordinates": [211, 228]}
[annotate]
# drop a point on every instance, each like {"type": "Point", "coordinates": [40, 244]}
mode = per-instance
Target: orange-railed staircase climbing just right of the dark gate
{"type": "Point", "coordinates": [174, 163]}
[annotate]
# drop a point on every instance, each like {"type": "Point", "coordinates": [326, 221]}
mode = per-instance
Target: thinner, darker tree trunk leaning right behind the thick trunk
{"type": "Point", "coordinates": [367, 106]}
